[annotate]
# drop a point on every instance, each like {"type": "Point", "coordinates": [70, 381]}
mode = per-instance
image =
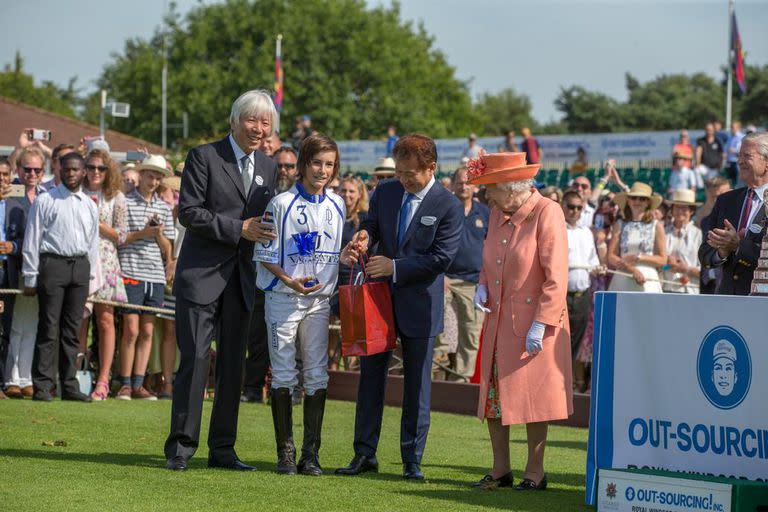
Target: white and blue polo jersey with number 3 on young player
{"type": "Point", "coordinates": [296, 211]}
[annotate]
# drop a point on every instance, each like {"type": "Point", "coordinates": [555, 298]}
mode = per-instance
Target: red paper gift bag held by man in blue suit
{"type": "Point", "coordinates": [367, 319]}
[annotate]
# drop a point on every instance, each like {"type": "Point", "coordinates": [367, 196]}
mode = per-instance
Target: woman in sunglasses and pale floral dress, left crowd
{"type": "Point", "coordinates": [102, 184]}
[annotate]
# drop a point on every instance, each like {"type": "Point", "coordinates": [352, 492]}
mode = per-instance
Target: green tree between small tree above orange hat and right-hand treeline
{"type": "Point", "coordinates": [588, 111]}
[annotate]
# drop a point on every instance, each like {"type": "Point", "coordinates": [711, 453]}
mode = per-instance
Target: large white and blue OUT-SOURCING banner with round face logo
{"type": "Point", "coordinates": [679, 384]}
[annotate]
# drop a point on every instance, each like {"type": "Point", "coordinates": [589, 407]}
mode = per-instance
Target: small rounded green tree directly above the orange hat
{"type": "Point", "coordinates": [504, 111]}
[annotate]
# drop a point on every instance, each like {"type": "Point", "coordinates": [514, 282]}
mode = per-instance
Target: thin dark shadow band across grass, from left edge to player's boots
{"type": "Point", "coordinates": [118, 459]}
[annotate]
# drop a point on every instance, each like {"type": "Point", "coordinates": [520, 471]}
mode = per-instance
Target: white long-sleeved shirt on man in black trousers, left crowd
{"type": "Point", "coordinates": [60, 222]}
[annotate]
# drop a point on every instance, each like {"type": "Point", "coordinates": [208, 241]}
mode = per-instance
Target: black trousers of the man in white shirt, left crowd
{"type": "Point", "coordinates": [62, 289]}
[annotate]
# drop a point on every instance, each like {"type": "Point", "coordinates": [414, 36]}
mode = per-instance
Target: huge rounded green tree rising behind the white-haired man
{"type": "Point", "coordinates": [354, 70]}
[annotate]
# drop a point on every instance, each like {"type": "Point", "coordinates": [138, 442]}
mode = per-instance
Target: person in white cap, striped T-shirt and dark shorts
{"type": "Point", "coordinates": [143, 258]}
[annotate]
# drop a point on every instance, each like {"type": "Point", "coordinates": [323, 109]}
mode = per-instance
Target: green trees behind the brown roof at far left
{"type": "Point", "coordinates": [20, 86]}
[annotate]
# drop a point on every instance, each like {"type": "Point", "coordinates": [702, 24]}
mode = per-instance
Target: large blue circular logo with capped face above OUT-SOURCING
{"type": "Point", "coordinates": [724, 367]}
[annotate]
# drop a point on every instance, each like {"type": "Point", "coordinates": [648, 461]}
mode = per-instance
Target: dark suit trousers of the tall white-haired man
{"type": "Point", "coordinates": [196, 325]}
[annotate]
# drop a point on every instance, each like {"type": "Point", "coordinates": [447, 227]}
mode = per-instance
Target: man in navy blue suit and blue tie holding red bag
{"type": "Point", "coordinates": [417, 225]}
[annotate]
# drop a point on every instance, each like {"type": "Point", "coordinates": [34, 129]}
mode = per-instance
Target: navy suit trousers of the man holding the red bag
{"type": "Point", "coordinates": [417, 394]}
